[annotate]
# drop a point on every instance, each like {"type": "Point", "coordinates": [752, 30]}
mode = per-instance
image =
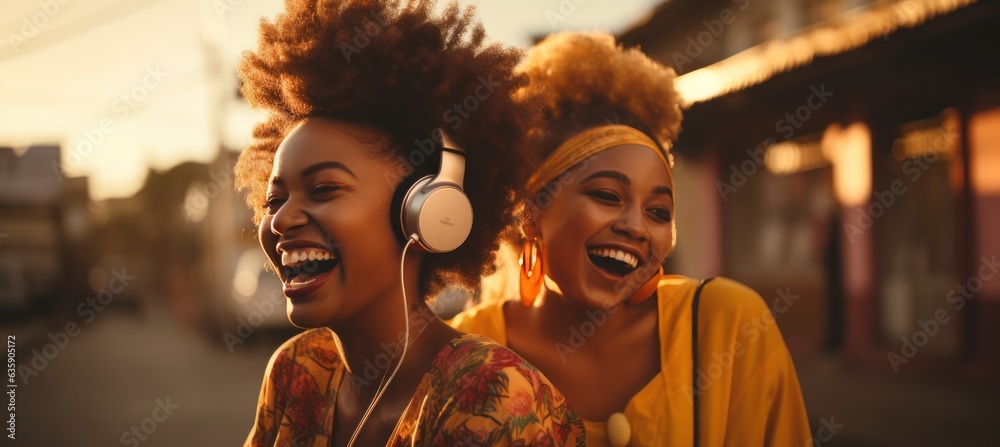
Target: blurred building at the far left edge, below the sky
{"type": "Point", "coordinates": [44, 221]}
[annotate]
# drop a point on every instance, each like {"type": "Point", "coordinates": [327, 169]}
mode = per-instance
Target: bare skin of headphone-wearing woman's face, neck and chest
{"type": "Point", "coordinates": [344, 208]}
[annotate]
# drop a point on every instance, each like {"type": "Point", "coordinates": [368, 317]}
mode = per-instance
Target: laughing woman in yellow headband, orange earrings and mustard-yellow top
{"type": "Point", "coordinates": [646, 359]}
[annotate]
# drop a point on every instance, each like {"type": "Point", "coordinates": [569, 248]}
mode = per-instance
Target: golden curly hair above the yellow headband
{"type": "Point", "coordinates": [588, 80]}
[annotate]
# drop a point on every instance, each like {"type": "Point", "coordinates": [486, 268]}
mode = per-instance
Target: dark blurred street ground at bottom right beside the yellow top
{"type": "Point", "coordinates": [880, 409]}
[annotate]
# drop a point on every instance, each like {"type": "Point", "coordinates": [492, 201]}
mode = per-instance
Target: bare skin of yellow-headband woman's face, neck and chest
{"type": "Point", "coordinates": [625, 206]}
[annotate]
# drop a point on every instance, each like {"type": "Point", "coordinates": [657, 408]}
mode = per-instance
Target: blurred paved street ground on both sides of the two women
{"type": "Point", "coordinates": [128, 369]}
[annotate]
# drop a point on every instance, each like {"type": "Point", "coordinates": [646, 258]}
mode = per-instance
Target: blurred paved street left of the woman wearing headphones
{"type": "Point", "coordinates": [121, 368]}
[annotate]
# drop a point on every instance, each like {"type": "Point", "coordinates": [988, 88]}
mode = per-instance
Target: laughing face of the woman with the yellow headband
{"type": "Point", "coordinates": [609, 225]}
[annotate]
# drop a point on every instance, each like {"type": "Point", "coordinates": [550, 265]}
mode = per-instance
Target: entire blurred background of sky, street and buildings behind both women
{"type": "Point", "coordinates": [841, 157]}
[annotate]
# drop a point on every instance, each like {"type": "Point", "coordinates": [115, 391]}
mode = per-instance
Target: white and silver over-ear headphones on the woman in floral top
{"type": "Point", "coordinates": [436, 208]}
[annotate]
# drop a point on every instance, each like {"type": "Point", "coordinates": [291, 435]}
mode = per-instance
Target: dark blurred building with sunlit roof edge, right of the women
{"type": "Point", "coordinates": [847, 152]}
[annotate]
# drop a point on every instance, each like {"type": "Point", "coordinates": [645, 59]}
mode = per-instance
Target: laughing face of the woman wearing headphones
{"type": "Point", "coordinates": [326, 226]}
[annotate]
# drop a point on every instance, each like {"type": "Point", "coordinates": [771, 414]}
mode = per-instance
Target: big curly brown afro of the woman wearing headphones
{"type": "Point", "coordinates": [404, 71]}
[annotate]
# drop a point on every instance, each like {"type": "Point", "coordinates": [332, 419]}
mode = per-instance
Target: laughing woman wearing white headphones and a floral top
{"type": "Point", "coordinates": [372, 192]}
